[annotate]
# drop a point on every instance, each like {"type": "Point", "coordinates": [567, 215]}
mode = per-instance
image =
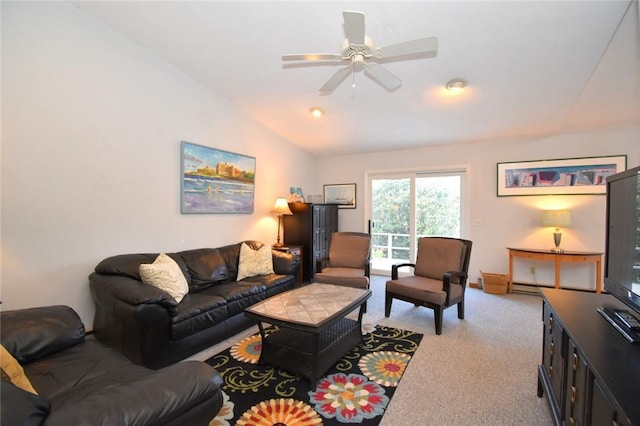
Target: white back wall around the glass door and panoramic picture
{"type": "Point", "coordinates": [506, 221]}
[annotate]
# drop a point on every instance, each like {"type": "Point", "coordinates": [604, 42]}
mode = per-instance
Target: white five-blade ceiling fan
{"type": "Point", "coordinates": [359, 53]}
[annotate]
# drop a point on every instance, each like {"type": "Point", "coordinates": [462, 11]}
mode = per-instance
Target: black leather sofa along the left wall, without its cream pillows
{"type": "Point", "coordinates": [152, 329]}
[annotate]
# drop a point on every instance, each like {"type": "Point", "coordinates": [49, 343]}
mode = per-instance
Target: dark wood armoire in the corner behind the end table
{"type": "Point", "coordinates": [310, 226]}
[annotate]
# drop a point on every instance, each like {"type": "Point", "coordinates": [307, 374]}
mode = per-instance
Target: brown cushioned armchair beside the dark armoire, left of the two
{"type": "Point", "coordinates": [348, 260]}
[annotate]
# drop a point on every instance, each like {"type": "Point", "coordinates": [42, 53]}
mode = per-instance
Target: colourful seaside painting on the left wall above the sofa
{"type": "Point", "coordinates": [216, 181]}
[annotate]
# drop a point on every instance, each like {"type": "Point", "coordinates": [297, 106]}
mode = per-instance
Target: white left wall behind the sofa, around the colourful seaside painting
{"type": "Point", "coordinates": [91, 131]}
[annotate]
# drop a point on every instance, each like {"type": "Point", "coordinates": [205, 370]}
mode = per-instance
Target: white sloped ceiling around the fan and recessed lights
{"type": "Point", "coordinates": [534, 68]}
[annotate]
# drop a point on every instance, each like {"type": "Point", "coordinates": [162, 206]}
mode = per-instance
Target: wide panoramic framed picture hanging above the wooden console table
{"type": "Point", "coordinates": [568, 176]}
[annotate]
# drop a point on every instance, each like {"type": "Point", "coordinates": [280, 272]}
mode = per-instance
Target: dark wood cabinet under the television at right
{"type": "Point", "coordinates": [590, 374]}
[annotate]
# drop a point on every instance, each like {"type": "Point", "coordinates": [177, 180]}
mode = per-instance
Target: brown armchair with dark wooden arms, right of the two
{"type": "Point", "coordinates": [439, 280]}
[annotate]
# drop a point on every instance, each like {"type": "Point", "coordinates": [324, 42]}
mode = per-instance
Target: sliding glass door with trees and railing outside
{"type": "Point", "coordinates": [409, 205]}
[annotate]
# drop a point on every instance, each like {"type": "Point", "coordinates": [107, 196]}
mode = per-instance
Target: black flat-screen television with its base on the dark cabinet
{"type": "Point", "coordinates": [622, 250]}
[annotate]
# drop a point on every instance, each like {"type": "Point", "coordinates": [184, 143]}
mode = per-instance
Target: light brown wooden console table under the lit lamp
{"type": "Point", "coordinates": [557, 259]}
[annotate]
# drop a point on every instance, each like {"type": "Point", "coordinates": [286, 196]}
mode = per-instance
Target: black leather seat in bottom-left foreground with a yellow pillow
{"type": "Point", "coordinates": [80, 381]}
